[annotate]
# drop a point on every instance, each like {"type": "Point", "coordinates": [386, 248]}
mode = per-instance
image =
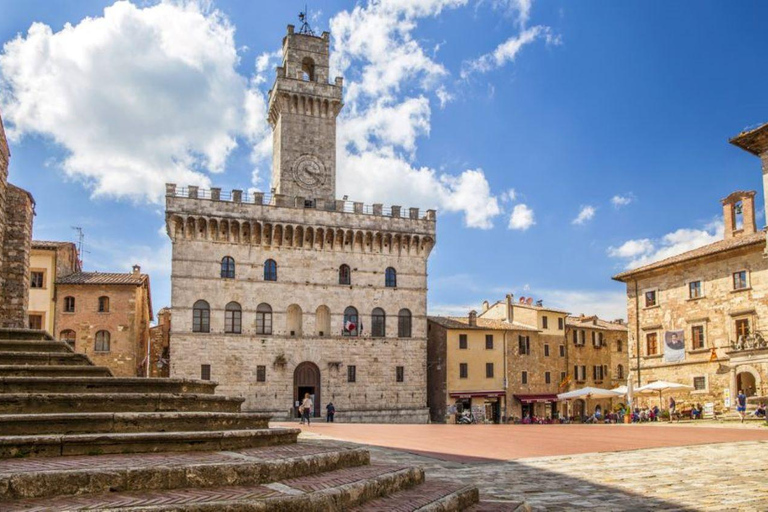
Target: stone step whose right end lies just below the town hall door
{"type": "Point", "coordinates": [142, 442]}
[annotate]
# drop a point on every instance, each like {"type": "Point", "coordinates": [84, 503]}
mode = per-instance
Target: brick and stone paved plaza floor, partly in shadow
{"type": "Point", "coordinates": [557, 467]}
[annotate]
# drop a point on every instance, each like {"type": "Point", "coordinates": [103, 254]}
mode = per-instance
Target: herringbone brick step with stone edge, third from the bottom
{"type": "Point", "coordinates": [335, 490]}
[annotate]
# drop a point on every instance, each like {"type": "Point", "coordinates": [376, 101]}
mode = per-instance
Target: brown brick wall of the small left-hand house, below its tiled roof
{"type": "Point", "coordinates": [127, 322]}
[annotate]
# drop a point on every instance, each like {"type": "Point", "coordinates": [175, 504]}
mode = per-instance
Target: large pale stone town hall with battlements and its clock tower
{"type": "Point", "coordinates": [275, 296]}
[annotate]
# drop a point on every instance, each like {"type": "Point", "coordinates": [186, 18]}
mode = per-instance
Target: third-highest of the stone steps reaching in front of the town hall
{"type": "Point", "coordinates": [108, 422]}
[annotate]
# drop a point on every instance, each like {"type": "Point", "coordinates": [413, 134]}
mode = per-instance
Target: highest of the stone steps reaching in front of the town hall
{"type": "Point", "coordinates": [104, 385]}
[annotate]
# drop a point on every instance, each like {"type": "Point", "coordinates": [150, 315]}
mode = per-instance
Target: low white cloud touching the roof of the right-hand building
{"type": "Point", "coordinates": [644, 251]}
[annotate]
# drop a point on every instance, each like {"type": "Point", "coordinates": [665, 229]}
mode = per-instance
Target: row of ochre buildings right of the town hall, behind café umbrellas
{"type": "Point", "coordinates": [536, 356]}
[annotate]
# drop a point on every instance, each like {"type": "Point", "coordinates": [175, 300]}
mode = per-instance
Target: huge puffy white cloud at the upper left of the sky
{"type": "Point", "coordinates": [137, 97]}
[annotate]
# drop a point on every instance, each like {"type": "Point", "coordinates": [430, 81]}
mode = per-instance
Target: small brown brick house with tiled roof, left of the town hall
{"type": "Point", "coordinates": [124, 317]}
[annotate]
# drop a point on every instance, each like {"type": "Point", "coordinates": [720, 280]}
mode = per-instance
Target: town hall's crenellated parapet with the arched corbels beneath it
{"type": "Point", "coordinates": [277, 221]}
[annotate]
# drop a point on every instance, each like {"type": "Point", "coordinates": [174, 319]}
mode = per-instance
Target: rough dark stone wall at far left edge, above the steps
{"type": "Point", "coordinates": [16, 248]}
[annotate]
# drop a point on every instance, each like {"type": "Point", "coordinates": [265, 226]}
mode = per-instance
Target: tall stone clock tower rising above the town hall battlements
{"type": "Point", "coordinates": [303, 106]}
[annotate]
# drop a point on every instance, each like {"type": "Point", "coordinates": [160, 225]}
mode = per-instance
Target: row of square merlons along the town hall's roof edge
{"type": "Point", "coordinates": [280, 200]}
